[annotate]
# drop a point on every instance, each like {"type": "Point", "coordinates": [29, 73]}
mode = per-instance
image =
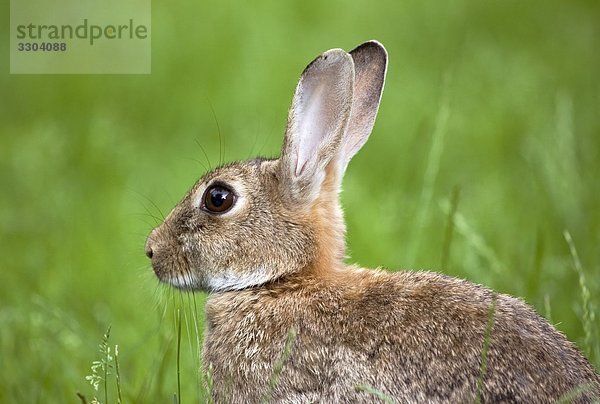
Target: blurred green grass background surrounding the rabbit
{"type": "Point", "coordinates": [490, 116]}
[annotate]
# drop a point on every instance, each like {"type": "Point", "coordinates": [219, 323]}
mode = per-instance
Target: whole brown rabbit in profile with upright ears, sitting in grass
{"type": "Point", "coordinates": [287, 320]}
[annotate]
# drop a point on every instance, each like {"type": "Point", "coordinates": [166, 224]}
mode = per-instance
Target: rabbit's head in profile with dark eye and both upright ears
{"type": "Point", "coordinates": [252, 222]}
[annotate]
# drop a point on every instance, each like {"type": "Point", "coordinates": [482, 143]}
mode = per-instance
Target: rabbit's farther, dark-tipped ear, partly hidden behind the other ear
{"type": "Point", "coordinates": [370, 65]}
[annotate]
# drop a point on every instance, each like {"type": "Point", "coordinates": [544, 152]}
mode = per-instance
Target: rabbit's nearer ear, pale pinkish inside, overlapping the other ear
{"type": "Point", "coordinates": [317, 120]}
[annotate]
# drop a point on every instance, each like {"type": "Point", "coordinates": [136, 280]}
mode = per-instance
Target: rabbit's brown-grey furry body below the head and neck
{"type": "Point", "coordinates": [414, 336]}
